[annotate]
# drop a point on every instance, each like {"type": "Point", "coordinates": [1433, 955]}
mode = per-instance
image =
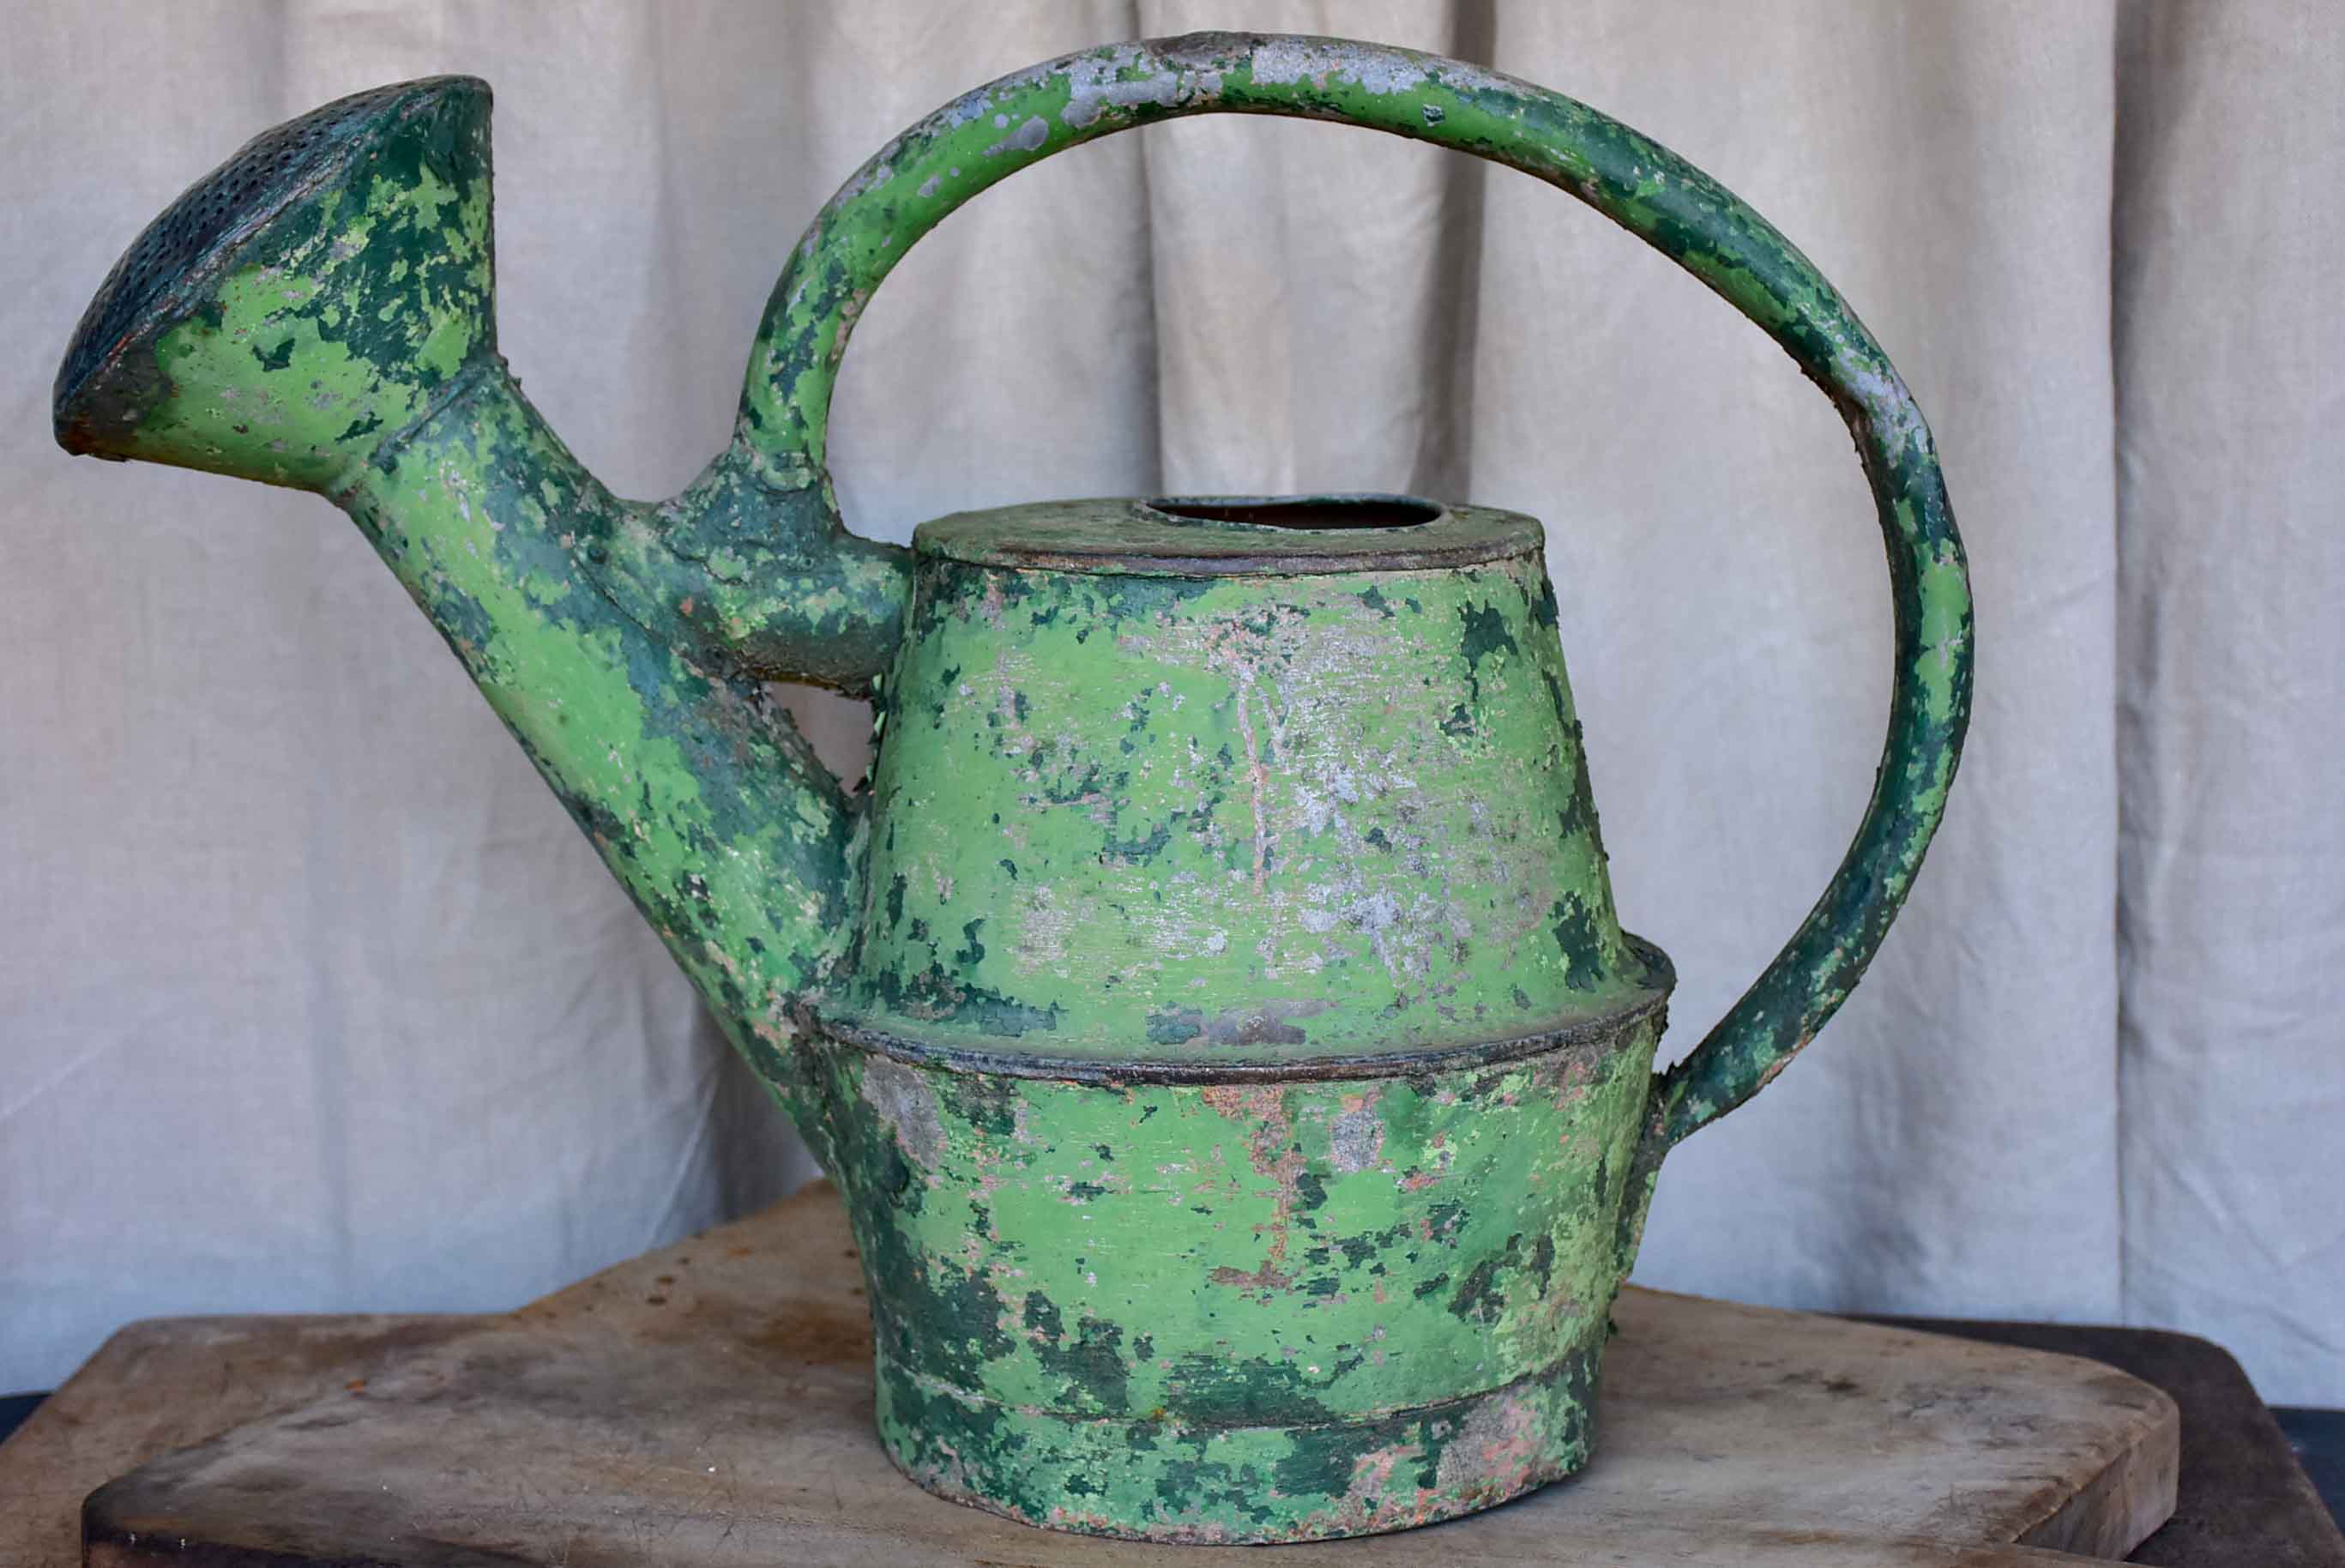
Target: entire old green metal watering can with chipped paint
{"type": "Point", "coordinates": [1214, 1009]}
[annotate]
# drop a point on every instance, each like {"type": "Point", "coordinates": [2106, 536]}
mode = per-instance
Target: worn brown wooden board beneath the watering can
{"type": "Point", "coordinates": [712, 1405]}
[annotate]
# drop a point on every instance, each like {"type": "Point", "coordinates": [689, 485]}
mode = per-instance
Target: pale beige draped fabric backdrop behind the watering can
{"type": "Point", "coordinates": [311, 997]}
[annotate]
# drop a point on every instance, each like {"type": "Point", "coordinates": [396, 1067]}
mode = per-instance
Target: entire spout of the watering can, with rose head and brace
{"type": "Point", "coordinates": [320, 313]}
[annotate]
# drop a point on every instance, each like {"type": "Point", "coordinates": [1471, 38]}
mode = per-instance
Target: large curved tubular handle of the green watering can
{"type": "Point", "coordinates": [998, 130]}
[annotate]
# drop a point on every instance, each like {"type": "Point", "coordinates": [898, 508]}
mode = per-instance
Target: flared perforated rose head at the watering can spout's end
{"type": "Point", "coordinates": [280, 325]}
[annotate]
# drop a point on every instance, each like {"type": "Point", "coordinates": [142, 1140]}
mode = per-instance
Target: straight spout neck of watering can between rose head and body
{"type": "Point", "coordinates": [695, 789]}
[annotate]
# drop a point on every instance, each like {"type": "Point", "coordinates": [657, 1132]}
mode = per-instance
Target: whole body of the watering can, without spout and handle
{"type": "Point", "coordinates": [1242, 1072]}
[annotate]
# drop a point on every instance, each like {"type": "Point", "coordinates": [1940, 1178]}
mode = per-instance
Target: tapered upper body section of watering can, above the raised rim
{"type": "Point", "coordinates": [1232, 817]}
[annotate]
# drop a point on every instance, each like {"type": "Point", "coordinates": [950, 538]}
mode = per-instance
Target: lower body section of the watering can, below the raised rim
{"type": "Point", "coordinates": [1256, 1311]}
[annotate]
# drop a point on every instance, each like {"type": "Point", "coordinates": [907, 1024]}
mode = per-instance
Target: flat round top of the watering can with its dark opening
{"type": "Point", "coordinates": [1232, 536]}
